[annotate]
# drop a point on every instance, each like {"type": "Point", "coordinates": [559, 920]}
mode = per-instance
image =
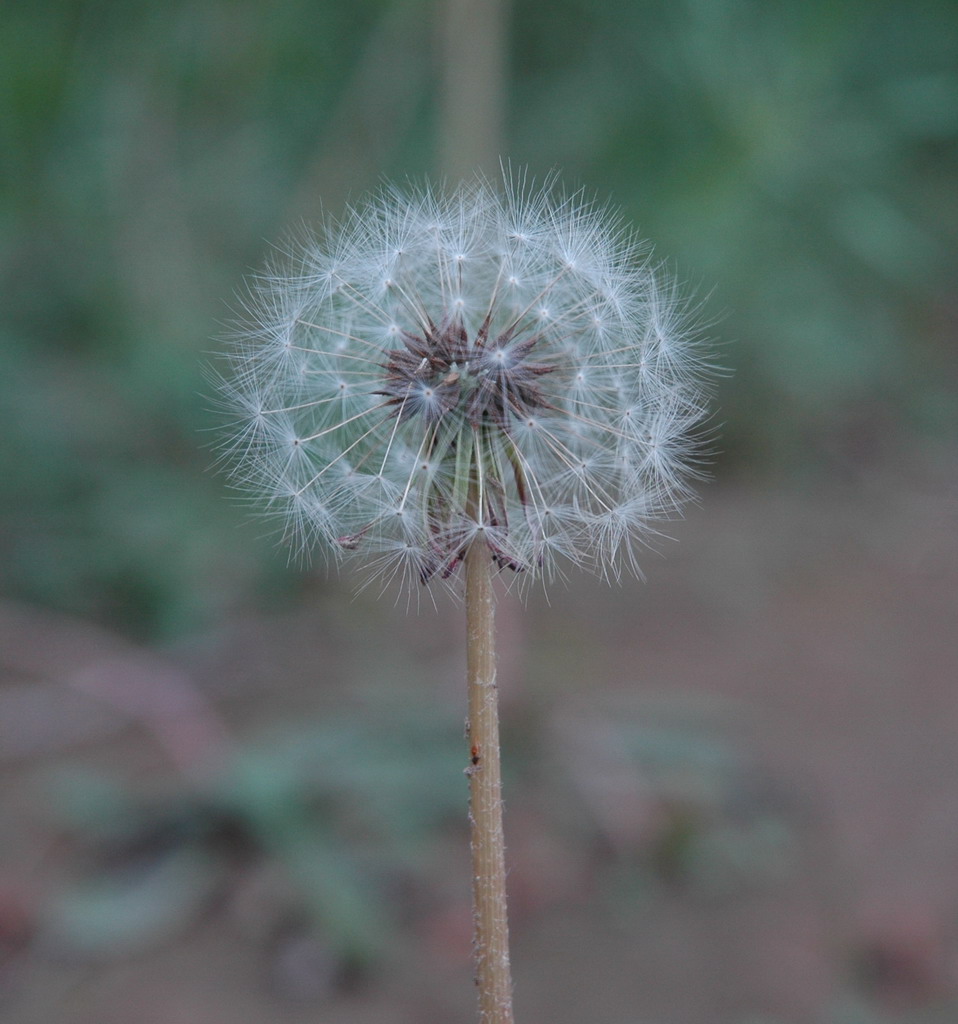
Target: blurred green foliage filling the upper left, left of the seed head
{"type": "Point", "coordinates": [147, 155]}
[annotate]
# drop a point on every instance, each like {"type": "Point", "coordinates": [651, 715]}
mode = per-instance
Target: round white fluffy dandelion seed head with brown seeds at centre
{"type": "Point", "coordinates": [494, 365]}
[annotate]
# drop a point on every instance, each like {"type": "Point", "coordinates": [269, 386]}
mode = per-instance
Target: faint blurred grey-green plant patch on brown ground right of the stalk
{"type": "Point", "coordinates": [674, 801]}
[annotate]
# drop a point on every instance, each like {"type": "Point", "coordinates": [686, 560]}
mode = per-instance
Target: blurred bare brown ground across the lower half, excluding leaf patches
{"type": "Point", "coordinates": [818, 628]}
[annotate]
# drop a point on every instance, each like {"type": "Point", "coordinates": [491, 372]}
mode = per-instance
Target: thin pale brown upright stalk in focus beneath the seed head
{"type": "Point", "coordinates": [491, 925]}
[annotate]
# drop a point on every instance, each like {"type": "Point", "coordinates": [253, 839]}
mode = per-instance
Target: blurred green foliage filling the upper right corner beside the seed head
{"type": "Point", "coordinates": [802, 159]}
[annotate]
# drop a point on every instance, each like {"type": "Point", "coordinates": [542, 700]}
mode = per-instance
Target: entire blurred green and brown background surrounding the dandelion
{"type": "Point", "coordinates": [733, 792]}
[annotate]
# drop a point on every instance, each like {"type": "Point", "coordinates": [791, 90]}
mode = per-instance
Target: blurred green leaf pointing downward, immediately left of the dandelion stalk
{"type": "Point", "coordinates": [346, 805]}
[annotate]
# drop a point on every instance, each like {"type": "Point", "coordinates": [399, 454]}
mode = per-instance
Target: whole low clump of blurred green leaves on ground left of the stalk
{"type": "Point", "coordinates": [341, 812]}
